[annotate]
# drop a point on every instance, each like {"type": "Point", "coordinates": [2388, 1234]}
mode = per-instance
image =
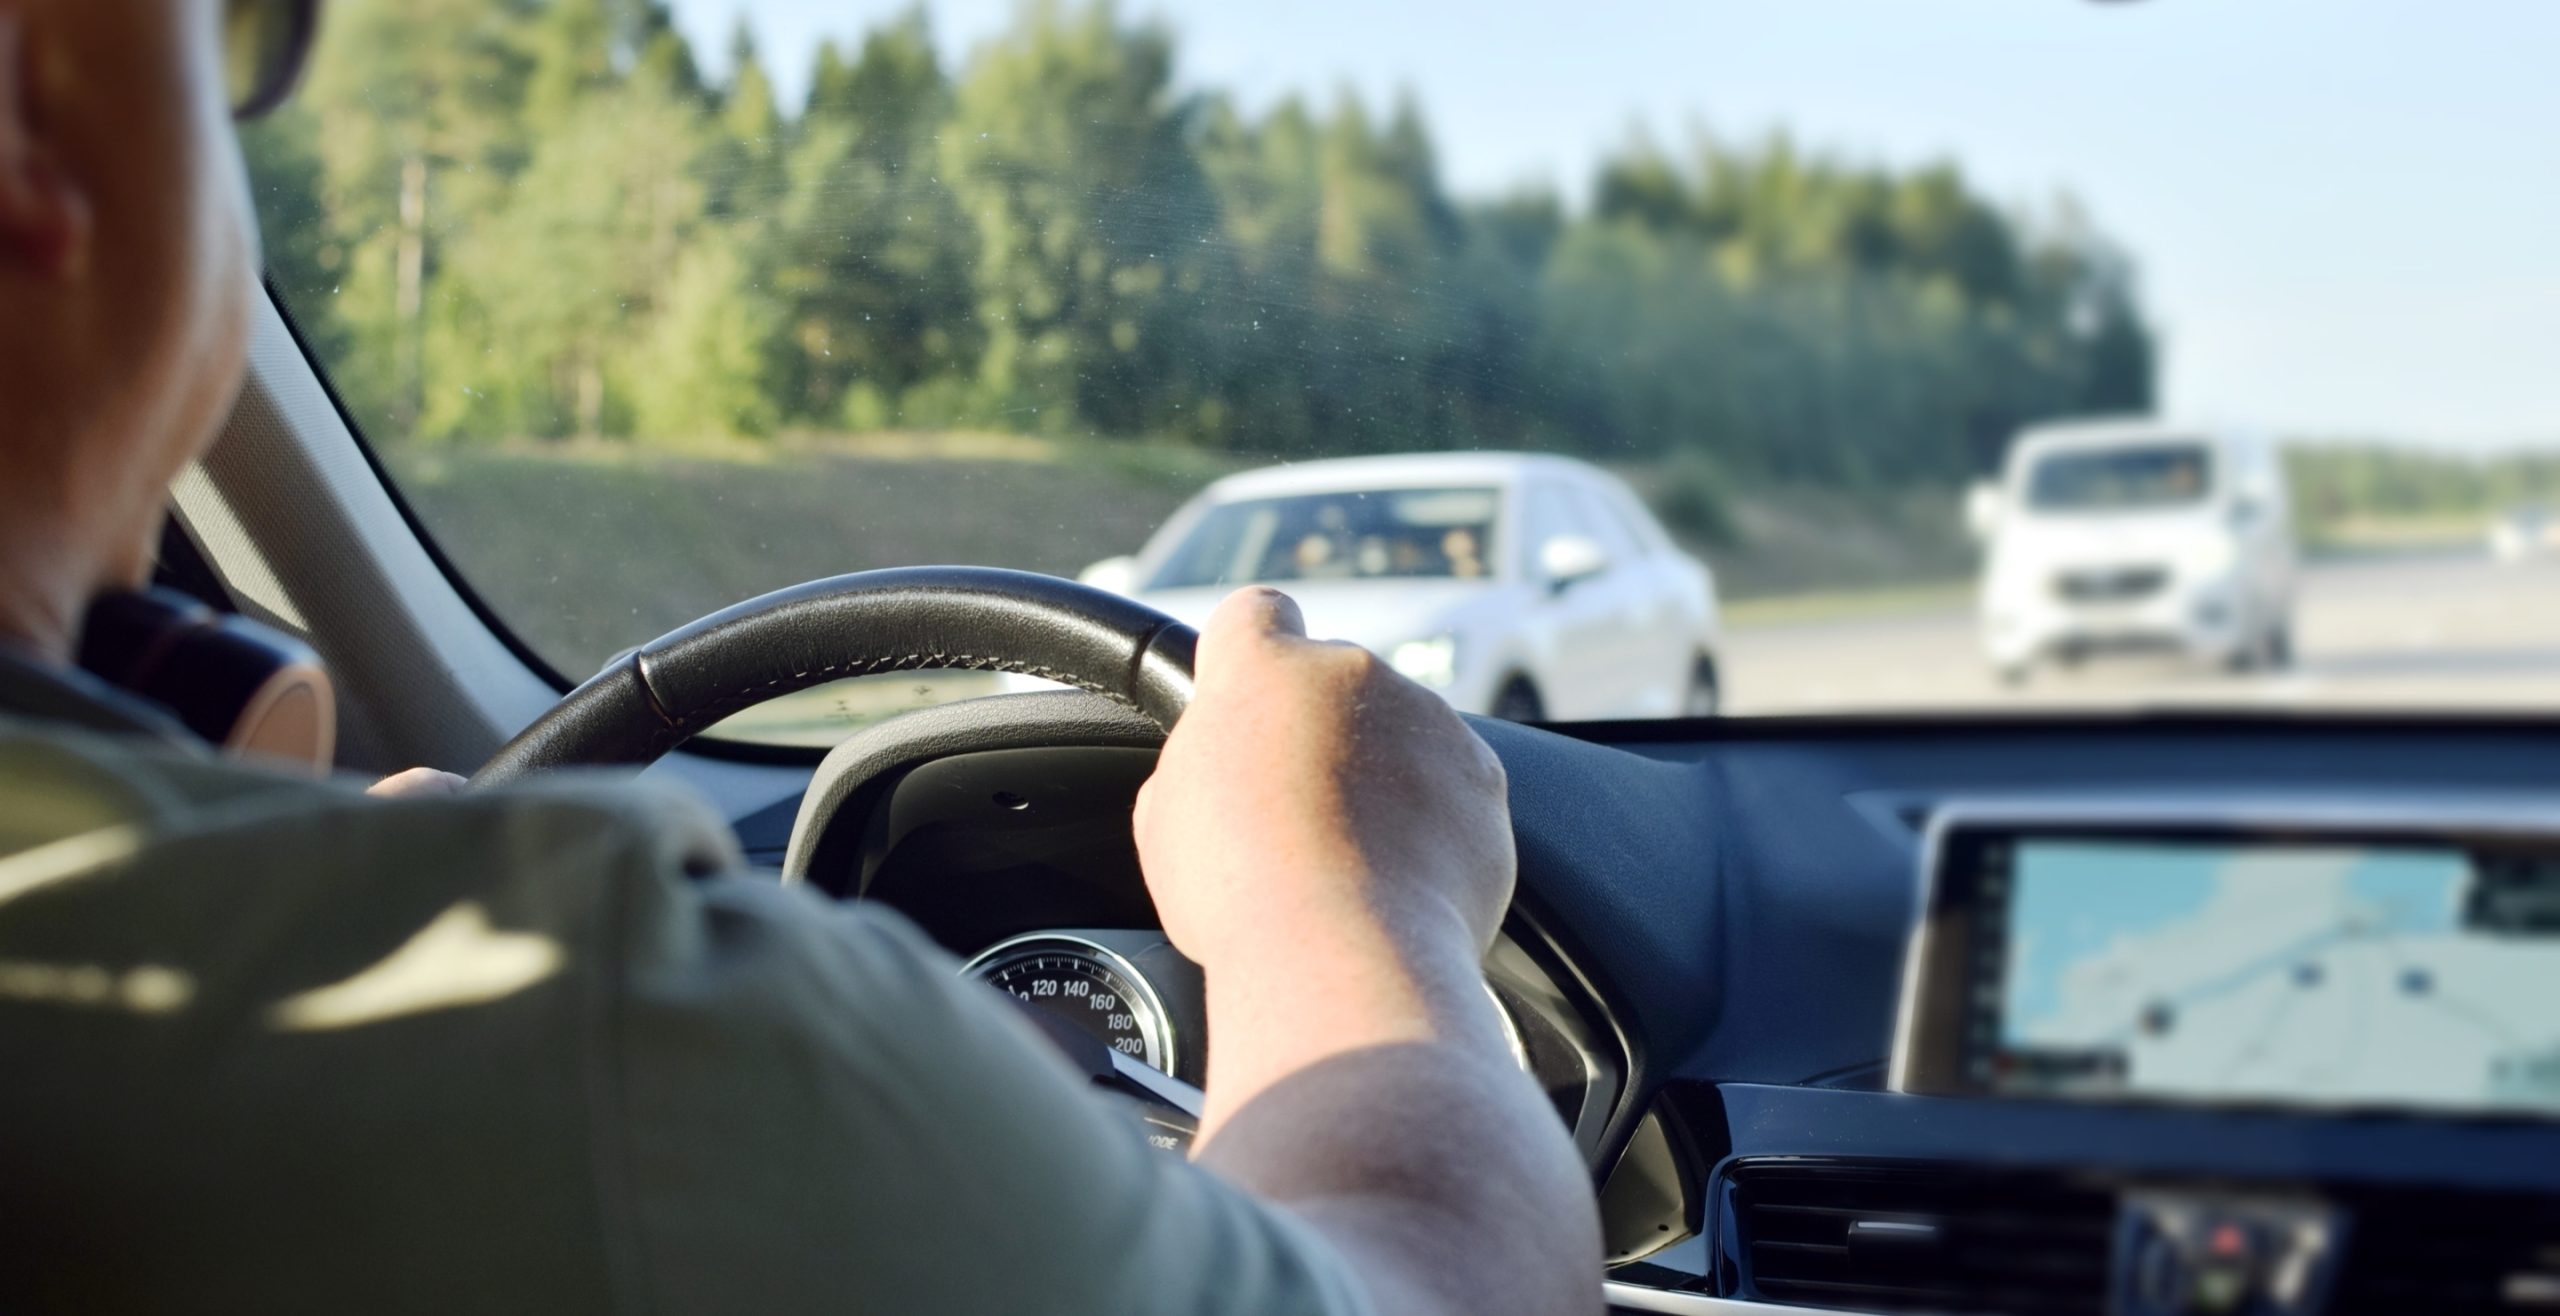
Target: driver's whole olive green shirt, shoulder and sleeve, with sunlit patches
{"type": "Point", "coordinates": [285, 1048]}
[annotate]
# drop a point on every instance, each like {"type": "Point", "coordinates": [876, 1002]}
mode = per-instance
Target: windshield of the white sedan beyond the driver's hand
{"type": "Point", "coordinates": [1348, 536]}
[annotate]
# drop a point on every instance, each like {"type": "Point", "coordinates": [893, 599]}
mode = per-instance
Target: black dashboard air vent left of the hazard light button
{"type": "Point", "coordinates": [1888, 1238]}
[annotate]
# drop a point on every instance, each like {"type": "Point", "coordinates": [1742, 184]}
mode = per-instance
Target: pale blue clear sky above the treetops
{"type": "Point", "coordinates": [2346, 211]}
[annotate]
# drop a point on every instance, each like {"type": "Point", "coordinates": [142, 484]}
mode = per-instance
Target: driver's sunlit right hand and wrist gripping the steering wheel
{"type": "Point", "coordinates": [1315, 805]}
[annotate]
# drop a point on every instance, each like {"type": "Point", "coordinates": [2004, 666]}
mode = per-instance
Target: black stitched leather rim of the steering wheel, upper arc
{"type": "Point", "coordinates": [867, 623]}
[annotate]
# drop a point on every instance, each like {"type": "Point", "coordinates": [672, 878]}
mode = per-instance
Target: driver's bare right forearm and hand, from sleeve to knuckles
{"type": "Point", "coordinates": [1335, 849]}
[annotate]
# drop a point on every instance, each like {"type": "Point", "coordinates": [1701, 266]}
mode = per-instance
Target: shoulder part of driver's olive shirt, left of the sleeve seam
{"type": "Point", "coordinates": [375, 1028]}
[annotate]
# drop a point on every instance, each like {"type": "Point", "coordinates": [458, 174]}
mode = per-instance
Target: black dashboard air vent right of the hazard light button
{"type": "Point", "coordinates": [2451, 1256]}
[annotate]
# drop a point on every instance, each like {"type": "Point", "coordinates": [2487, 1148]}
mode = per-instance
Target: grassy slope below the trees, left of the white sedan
{"type": "Point", "coordinates": [595, 549]}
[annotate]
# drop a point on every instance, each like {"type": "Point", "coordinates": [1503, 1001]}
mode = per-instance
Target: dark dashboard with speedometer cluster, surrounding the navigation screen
{"type": "Point", "coordinates": [1709, 969]}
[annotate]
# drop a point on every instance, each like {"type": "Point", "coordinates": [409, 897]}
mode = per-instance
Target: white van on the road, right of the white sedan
{"type": "Point", "coordinates": [2136, 536]}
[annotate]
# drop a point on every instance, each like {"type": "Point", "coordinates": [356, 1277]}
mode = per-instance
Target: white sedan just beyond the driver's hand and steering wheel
{"type": "Point", "coordinates": [1519, 585]}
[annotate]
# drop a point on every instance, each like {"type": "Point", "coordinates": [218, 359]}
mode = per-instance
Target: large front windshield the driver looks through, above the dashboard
{"type": "Point", "coordinates": [654, 306]}
